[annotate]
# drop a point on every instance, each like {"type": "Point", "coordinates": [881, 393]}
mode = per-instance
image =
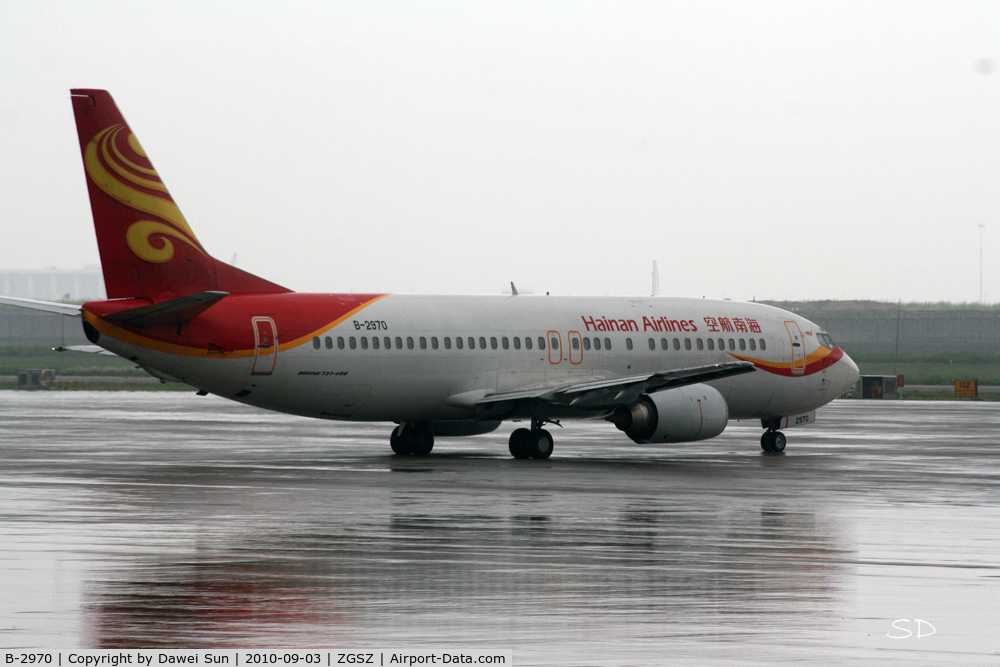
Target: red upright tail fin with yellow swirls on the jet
{"type": "Point", "coordinates": [147, 248]}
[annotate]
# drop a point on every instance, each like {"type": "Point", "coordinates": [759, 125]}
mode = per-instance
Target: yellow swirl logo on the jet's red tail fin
{"type": "Point", "coordinates": [139, 188]}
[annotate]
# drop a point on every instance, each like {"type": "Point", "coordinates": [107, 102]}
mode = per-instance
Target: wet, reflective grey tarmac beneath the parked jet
{"type": "Point", "coordinates": [162, 520]}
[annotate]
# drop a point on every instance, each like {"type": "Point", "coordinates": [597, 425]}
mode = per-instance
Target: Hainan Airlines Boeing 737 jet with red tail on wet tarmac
{"type": "Point", "coordinates": [660, 369]}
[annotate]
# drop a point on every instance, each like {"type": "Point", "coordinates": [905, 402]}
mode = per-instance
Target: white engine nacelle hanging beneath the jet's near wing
{"type": "Point", "coordinates": [685, 414]}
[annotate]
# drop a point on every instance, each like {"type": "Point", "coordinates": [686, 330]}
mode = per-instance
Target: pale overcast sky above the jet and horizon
{"type": "Point", "coordinates": [765, 150]}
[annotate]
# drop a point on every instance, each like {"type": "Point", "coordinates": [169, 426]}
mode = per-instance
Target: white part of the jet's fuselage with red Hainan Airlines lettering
{"type": "Point", "coordinates": [399, 358]}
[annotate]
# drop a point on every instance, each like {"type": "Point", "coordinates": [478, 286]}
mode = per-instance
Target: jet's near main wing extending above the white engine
{"type": "Point", "coordinates": [598, 394]}
